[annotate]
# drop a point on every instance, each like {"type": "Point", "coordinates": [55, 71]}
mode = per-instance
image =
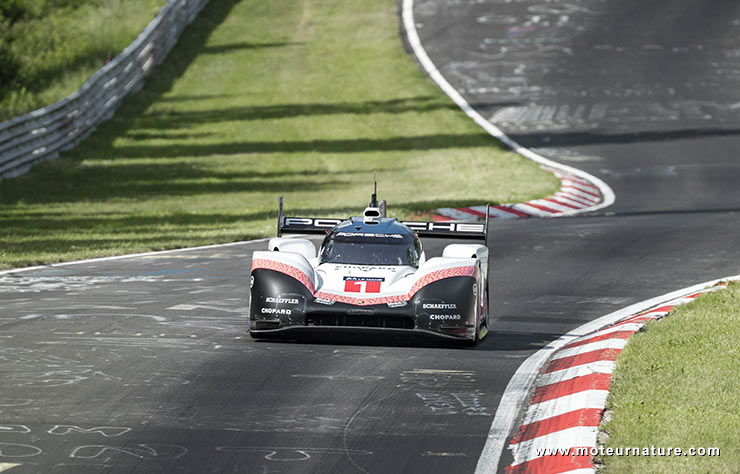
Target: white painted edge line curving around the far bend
{"type": "Point", "coordinates": [436, 76]}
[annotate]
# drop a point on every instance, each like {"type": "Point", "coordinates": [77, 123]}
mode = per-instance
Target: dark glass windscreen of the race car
{"type": "Point", "coordinates": [369, 249]}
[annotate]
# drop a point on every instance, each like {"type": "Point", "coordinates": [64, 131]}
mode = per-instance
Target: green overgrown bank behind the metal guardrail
{"type": "Point", "coordinates": [49, 48]}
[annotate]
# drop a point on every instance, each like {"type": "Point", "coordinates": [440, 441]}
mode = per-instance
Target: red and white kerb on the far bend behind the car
{"type": "Point", "coordinates": [576, 195]}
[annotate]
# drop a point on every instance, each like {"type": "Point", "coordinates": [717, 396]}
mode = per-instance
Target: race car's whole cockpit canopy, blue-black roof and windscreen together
{"type": "Point", "coordinates": [384, 241]}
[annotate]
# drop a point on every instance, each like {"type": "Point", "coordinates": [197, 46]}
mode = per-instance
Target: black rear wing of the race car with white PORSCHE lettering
{"type": "Point", "coordinates": [447, 230]}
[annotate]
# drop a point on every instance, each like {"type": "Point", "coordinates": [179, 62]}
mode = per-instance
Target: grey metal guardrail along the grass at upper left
{"type": "Point", "coordinates": [40, 135]}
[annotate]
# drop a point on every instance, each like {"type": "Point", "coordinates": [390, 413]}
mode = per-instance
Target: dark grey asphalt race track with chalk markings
{"type": "Point", "coordinates": [142, 364]}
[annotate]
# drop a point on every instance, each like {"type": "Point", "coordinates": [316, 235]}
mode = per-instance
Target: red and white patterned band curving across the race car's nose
{"type": "Point", "coordinates": [427, 279]}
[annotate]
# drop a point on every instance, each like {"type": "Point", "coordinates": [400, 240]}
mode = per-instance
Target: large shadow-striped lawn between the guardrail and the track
{"type": "Point", "coordinates": [261, 99]}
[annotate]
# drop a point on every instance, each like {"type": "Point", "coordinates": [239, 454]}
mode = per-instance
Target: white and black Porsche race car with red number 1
{"type": "Point", "coordinates": [370, 276]}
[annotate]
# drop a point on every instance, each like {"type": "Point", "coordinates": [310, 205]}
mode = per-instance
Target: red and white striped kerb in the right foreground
{"type": "Point", "coordinates": [570, 395]}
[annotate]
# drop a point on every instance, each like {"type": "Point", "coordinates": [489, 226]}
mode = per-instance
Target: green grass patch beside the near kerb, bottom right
{"type": "Point", "coordinates": [677, 385]}
